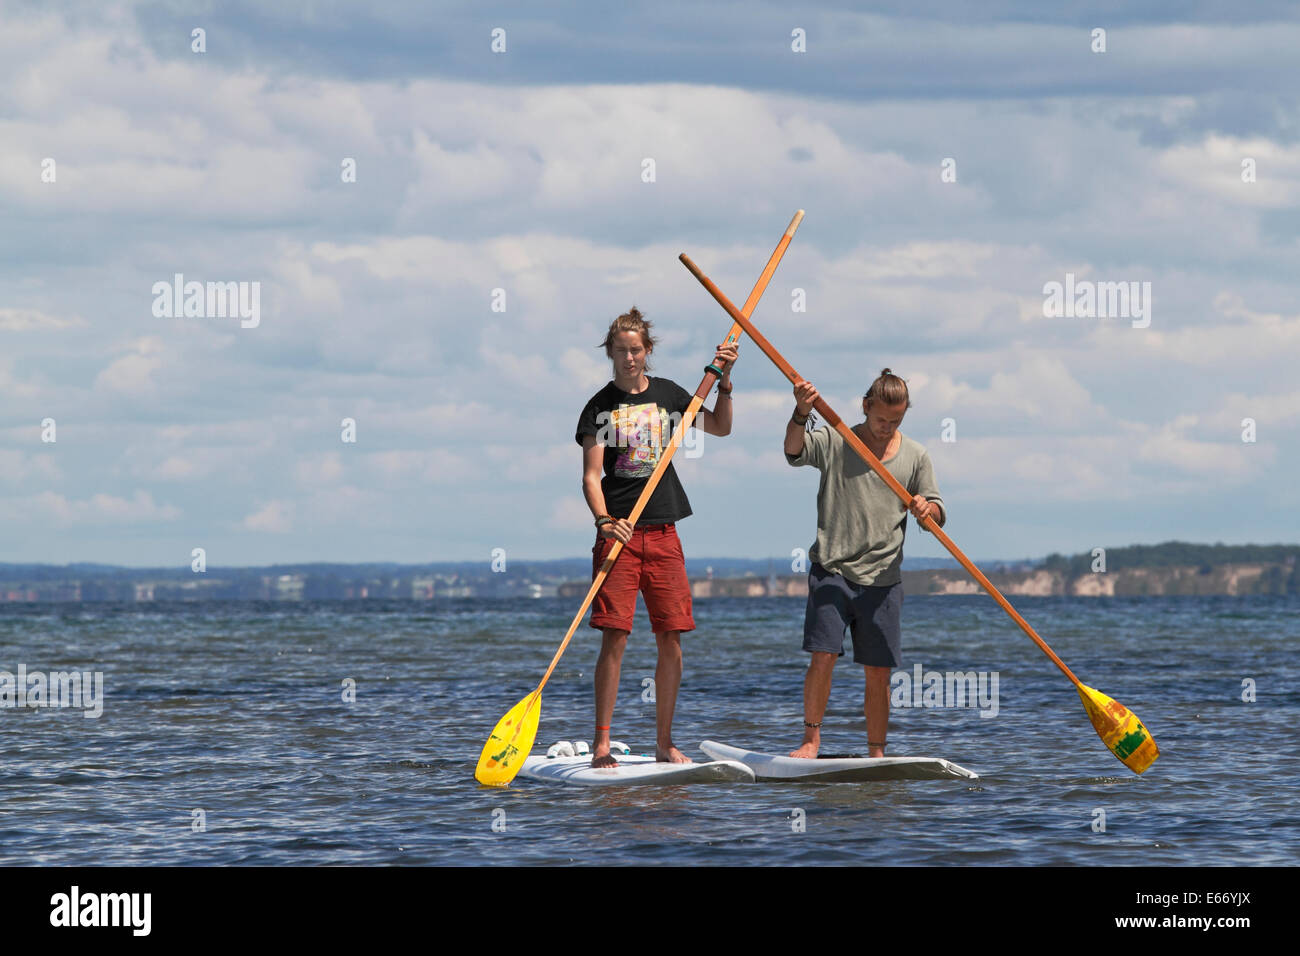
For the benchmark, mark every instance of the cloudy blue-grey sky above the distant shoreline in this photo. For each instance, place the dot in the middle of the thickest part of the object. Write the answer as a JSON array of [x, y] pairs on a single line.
[[951, 166]]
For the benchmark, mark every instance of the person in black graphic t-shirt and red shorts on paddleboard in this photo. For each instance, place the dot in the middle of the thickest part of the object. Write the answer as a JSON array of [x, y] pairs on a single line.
[[623, 431]]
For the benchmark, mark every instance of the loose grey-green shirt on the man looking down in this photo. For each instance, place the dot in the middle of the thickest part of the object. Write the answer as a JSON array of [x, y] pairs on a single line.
[[860, 522]]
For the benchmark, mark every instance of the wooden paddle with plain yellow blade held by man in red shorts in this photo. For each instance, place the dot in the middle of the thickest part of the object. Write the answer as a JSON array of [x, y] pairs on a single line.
[[513, 738]]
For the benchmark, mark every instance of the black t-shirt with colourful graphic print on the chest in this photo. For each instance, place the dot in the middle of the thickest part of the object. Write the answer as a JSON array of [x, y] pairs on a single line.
[[636, 430]]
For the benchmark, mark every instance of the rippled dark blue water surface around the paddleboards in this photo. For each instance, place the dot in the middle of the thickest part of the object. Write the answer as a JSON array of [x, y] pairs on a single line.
[[237, 711]]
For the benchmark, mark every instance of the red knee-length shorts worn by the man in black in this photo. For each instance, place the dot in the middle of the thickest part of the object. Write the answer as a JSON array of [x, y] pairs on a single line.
[[651, 563]]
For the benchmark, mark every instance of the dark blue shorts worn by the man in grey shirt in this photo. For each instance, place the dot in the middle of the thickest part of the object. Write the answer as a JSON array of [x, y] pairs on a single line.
[[874, 617]]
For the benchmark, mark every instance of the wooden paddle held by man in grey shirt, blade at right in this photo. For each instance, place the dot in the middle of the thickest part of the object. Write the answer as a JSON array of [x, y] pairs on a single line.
[[1117, 726]]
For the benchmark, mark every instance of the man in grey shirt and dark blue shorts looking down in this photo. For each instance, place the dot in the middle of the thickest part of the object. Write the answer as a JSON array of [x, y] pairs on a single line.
[[856, 578]]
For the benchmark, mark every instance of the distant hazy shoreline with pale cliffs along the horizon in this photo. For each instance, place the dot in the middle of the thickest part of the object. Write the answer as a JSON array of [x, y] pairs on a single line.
[[1175, 569]]
